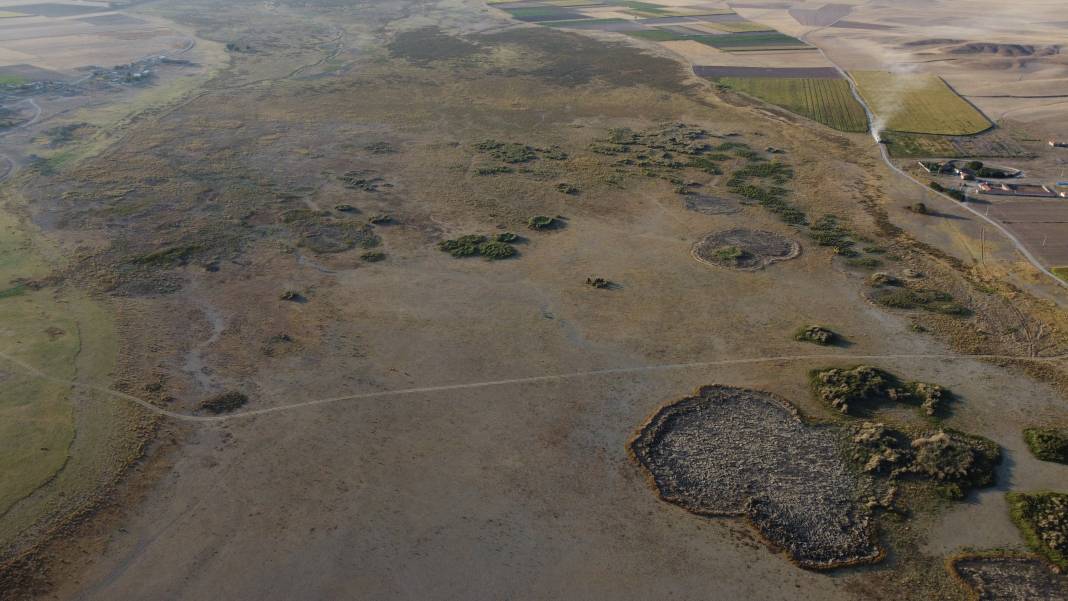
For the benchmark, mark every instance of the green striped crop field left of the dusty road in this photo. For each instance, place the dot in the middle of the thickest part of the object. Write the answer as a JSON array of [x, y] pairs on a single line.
[[824, 101]]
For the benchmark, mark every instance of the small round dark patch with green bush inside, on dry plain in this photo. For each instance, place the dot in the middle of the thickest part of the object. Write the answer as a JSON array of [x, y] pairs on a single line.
[[747, 250]]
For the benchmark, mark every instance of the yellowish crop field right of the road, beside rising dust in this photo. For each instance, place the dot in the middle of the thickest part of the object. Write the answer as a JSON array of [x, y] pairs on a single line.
[[919, 104]]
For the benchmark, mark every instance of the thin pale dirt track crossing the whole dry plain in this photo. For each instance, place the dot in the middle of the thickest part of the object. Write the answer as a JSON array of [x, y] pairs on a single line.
[[30, 370]]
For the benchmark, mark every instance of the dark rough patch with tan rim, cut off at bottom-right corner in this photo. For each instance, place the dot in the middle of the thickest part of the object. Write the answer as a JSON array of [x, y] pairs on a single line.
[[1010, 578]]
